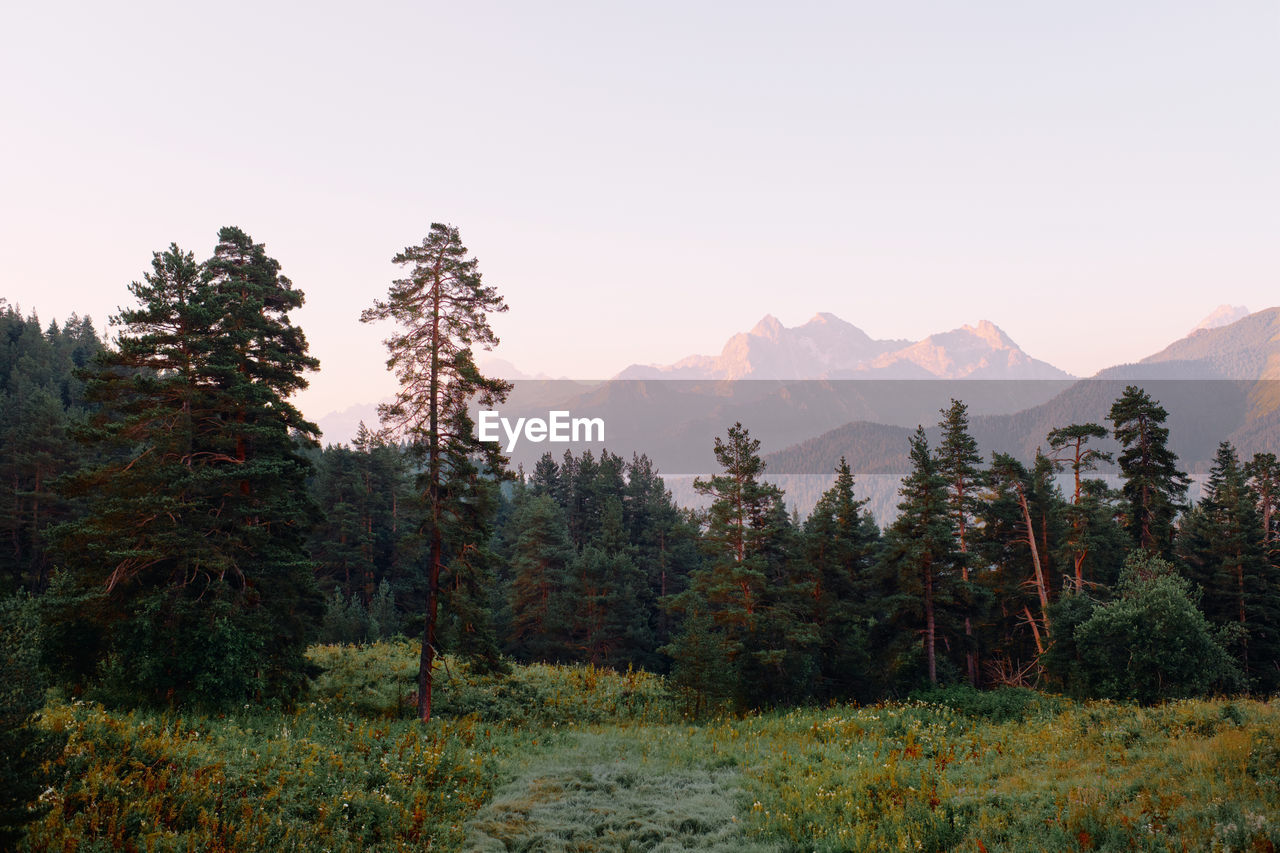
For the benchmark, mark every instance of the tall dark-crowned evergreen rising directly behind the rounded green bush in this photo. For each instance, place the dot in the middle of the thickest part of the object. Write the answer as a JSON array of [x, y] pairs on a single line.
[[1154, 487]]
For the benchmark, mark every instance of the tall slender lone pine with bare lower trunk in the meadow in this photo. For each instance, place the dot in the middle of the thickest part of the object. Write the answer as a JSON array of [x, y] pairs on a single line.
[[442, 311]]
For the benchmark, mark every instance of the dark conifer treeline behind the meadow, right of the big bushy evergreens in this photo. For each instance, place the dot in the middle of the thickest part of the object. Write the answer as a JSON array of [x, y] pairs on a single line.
[[993, 573]]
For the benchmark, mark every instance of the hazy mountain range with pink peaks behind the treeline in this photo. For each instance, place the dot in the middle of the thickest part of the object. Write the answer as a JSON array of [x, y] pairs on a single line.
[[797, 390]]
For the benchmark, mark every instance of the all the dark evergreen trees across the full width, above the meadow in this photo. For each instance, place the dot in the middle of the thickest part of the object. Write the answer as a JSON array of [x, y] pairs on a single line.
[[177, 536]]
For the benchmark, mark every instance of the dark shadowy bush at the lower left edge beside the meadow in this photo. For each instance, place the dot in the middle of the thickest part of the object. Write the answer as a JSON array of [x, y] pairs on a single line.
[[24, 746]]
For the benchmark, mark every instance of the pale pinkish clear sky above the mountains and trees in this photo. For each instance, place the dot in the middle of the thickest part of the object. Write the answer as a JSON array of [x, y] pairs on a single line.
[[642, 181]]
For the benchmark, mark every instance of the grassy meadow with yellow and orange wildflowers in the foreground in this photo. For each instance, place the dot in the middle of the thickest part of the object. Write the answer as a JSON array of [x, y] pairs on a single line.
[[573, 759]]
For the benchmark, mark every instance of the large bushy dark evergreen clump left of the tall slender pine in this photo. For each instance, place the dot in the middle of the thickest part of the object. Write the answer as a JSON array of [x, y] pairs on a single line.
[[190, 562]]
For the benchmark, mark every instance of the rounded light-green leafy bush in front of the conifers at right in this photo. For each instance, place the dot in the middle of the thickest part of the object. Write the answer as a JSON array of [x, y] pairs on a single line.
[[1153, 644]]
